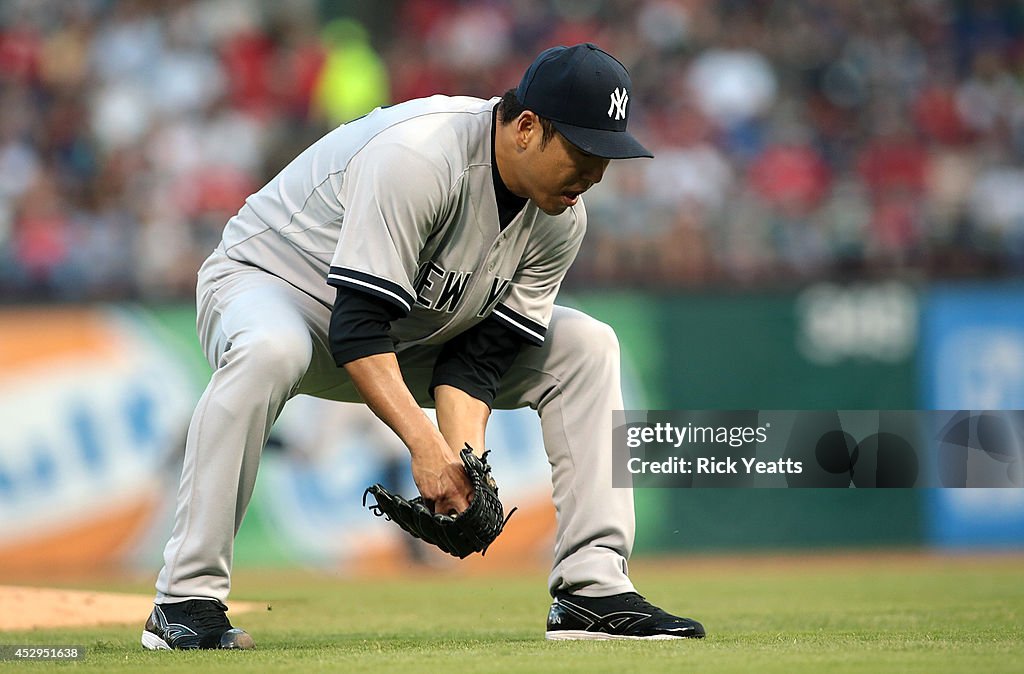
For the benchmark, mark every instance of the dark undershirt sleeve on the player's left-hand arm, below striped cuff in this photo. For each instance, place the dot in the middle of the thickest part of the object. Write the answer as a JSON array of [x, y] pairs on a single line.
[[361, 326]]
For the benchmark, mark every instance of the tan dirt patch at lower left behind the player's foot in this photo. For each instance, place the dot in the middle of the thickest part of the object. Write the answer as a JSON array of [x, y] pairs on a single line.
[[31, 608]]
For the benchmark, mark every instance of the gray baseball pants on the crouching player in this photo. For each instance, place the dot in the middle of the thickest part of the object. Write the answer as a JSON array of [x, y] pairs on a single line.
[[268, 343]]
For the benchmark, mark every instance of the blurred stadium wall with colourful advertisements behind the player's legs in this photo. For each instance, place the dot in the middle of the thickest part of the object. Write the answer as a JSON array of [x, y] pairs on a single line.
[[95, 403]]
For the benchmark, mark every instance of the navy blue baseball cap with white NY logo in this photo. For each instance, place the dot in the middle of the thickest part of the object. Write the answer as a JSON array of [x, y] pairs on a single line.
[[585, 93]]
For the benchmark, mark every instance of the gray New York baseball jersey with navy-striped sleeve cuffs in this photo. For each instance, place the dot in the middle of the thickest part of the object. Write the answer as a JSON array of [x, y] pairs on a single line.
[[424, 237]]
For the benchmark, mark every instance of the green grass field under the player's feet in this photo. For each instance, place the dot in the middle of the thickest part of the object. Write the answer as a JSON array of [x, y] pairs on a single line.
[[794, 615]]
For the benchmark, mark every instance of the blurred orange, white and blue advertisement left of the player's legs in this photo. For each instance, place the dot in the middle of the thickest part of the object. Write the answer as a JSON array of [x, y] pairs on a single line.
[[93, 404]]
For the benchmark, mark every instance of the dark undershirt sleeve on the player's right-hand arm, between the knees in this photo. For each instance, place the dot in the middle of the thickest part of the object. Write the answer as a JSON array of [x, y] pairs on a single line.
[[476, 361]]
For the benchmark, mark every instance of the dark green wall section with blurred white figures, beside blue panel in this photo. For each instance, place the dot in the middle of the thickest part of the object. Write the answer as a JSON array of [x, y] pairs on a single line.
[[827, 347]]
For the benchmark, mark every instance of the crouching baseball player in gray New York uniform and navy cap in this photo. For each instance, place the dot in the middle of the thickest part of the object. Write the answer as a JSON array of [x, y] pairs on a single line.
[[411, 259]]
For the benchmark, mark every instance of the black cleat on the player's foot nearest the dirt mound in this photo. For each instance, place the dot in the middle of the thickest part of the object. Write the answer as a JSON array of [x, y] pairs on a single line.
[[193, 624]]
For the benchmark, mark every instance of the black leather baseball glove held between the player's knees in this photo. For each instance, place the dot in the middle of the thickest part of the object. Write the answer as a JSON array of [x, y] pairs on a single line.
[[462, 535]]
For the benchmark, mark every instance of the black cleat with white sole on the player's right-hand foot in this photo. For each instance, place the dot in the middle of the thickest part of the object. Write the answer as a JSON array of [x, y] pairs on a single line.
[[626, 616]]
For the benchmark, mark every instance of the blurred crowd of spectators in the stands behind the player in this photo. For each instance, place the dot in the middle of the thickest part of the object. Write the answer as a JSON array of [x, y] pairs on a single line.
[[795, 140]]
